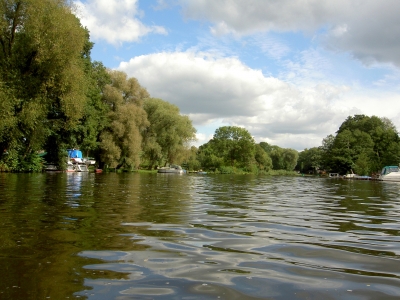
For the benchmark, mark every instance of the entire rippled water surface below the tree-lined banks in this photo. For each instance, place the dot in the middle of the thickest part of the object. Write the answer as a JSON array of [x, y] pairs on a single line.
[[167, 236]]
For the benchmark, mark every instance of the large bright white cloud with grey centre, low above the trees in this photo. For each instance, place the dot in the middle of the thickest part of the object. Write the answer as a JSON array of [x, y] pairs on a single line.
[[210, 89]]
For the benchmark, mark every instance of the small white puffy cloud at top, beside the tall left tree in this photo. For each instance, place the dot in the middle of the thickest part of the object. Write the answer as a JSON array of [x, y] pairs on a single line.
[[114, 21]]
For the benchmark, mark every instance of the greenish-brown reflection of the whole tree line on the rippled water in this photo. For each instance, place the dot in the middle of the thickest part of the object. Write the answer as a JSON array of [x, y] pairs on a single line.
[[42, 233]]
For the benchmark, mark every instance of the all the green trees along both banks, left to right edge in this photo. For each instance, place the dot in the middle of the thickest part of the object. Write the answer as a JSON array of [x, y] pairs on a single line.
[[54, 97]]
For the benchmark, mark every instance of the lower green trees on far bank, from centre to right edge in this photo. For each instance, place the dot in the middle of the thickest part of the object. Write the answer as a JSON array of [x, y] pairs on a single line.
[[362, 145]]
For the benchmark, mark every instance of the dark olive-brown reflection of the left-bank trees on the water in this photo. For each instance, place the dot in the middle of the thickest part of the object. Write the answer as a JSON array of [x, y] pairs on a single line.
[[50, 217]]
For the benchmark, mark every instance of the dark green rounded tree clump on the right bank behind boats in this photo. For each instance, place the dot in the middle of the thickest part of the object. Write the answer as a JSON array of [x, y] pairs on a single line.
[[362, 145]]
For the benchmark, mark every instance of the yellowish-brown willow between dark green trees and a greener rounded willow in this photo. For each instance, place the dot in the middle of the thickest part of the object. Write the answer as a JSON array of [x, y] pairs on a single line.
[[121, 141]]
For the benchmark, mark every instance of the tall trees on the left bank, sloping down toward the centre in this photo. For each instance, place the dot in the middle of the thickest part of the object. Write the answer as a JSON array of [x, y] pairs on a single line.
[[54, 97]]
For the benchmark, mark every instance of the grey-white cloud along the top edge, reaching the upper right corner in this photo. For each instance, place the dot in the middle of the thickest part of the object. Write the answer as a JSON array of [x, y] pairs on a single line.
[[368, 29]]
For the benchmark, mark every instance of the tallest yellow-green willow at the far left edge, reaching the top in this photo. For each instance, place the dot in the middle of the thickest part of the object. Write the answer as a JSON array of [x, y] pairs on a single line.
[[42, 74]]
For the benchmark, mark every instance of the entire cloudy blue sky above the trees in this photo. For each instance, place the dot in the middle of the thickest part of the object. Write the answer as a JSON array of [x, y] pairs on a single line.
[[289, 71]]
